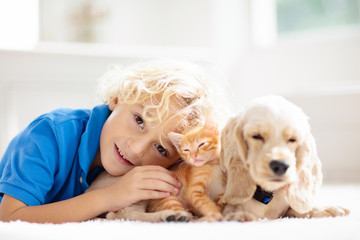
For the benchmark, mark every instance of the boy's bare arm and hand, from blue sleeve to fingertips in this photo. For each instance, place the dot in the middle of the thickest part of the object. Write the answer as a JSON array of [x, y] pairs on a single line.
[[145, 182]]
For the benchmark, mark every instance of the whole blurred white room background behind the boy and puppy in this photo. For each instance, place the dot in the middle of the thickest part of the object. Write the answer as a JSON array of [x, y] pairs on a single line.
[[52, 54]]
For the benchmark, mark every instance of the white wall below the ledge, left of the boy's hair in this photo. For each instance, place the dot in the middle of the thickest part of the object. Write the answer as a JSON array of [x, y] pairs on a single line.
[[33, 83]]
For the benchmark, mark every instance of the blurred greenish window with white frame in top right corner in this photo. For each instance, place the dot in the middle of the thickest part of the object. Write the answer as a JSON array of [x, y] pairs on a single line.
[[271, 19]]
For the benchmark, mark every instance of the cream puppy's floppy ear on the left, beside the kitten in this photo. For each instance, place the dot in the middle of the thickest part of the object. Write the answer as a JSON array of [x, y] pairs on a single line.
[[239, 187]]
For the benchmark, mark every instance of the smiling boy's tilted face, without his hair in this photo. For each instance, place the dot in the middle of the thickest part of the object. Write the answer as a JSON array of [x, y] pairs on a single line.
[[127, 140]]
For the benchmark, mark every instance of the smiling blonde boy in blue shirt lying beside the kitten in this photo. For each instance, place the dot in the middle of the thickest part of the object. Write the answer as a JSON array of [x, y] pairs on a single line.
[[48, 166]]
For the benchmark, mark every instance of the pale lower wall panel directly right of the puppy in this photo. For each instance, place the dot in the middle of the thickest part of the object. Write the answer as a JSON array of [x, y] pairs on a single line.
[[335, 123]]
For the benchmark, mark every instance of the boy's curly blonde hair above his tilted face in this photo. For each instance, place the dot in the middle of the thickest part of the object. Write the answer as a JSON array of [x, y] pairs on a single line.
[[160, 86]]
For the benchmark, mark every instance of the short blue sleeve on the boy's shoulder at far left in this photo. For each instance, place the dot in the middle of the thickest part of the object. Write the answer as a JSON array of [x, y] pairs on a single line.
[[30, 163]]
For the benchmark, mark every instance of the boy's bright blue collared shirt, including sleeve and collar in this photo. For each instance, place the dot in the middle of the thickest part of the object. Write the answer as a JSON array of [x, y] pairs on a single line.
[[49, 160]]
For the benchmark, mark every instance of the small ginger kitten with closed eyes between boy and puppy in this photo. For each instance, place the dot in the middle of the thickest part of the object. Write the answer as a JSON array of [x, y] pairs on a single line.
[[199, 172]]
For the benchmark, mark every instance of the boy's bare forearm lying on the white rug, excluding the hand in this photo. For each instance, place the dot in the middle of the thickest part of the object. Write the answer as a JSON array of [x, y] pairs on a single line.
[[77, 209]]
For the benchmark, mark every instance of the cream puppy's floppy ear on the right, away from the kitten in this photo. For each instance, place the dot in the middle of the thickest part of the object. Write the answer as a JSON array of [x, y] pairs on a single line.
[[301, 194]]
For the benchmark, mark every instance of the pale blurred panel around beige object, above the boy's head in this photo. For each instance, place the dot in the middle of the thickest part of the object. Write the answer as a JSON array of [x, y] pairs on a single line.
[[133, 22]]
